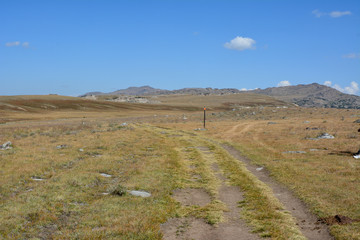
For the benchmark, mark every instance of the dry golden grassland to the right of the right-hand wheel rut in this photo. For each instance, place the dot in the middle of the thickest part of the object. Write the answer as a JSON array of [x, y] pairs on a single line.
[[321, 172]]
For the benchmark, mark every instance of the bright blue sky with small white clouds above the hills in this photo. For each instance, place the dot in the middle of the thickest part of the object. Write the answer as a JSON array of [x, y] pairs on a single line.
[[78, 46]]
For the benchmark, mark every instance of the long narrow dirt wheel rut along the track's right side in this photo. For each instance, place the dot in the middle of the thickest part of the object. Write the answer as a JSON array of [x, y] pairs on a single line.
[[307, 222]]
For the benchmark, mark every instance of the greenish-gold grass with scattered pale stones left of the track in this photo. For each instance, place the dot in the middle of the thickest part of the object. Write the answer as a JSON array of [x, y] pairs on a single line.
[[69, 202]]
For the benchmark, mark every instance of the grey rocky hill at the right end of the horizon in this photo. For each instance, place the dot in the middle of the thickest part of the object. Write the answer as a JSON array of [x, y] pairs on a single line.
[[312, 95]]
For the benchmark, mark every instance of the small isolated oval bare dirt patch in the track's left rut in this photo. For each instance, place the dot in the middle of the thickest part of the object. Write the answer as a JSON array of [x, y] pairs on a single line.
[[192, 196]]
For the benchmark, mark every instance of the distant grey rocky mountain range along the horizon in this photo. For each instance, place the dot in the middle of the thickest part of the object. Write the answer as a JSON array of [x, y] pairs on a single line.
[[307, 95]]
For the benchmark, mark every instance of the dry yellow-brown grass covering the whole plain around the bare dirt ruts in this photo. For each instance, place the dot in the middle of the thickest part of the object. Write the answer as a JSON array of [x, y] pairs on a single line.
[[74, 201]]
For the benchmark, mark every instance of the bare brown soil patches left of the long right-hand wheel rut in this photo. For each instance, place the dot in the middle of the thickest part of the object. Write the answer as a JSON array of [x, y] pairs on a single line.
[[233, 228]]
